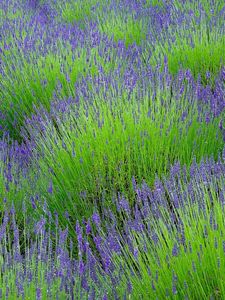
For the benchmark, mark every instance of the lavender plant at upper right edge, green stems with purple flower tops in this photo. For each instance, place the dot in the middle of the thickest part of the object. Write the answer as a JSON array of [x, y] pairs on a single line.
[[196, 44]]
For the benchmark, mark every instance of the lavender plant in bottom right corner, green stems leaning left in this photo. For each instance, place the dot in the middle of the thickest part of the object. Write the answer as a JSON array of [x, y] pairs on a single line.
[[173, 249]]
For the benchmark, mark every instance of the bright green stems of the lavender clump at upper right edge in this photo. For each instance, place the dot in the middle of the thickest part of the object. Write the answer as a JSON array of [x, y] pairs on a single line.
[[200, 50]]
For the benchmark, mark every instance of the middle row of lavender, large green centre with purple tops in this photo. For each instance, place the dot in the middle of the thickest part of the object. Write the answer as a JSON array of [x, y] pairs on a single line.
[[61, 146]]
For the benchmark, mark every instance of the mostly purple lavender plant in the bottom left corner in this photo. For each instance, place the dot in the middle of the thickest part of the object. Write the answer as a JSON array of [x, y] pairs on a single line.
[[47, 270]]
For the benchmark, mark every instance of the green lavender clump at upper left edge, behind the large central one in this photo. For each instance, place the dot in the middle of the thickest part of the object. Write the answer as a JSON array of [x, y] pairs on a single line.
[[43, 77]]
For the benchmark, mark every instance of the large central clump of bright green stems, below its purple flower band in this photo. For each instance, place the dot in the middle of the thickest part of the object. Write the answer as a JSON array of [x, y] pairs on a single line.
[[96, 150]]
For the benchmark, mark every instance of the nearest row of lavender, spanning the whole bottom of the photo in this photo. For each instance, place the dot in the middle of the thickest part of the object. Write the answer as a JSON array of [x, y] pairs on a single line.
[[115, 262]]
